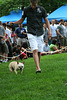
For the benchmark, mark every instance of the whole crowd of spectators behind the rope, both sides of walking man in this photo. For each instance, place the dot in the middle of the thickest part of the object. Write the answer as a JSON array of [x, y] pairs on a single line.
[[14, 43]]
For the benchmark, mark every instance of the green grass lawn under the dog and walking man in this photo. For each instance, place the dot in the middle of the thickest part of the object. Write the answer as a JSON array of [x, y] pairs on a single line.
[[51, 84]]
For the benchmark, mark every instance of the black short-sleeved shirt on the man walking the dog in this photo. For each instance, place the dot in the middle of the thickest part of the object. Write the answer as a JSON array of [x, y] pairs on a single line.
[[34, 19]]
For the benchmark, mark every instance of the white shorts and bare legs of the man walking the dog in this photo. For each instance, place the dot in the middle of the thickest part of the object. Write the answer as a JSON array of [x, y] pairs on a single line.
[[36, 44]]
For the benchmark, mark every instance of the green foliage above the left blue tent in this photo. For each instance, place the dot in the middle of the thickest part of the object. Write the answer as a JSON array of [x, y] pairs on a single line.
[[8, 5]]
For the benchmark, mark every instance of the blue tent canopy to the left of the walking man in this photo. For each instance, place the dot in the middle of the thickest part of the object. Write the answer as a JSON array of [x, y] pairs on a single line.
[[13, 16]]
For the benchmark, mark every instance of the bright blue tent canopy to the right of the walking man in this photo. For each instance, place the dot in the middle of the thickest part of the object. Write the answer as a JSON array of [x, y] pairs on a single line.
[[60, 13]]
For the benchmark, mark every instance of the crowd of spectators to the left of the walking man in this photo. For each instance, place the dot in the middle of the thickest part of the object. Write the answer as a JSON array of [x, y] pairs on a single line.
[[13, 43]]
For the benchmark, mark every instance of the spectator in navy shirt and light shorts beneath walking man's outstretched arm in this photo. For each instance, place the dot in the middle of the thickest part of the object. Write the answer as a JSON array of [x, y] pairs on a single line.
[[21, 35]]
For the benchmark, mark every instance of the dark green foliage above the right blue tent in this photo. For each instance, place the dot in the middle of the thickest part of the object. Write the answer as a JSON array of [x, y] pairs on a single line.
[[52, 5]]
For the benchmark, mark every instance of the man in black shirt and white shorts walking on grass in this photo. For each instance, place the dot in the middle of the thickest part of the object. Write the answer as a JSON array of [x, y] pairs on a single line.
[[34, 14]]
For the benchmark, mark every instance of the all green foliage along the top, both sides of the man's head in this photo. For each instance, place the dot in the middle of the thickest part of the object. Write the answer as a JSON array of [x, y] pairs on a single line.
[[8, 5]]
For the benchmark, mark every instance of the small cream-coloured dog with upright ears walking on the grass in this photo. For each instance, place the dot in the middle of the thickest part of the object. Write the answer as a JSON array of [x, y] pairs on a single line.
[[14, 66]]
